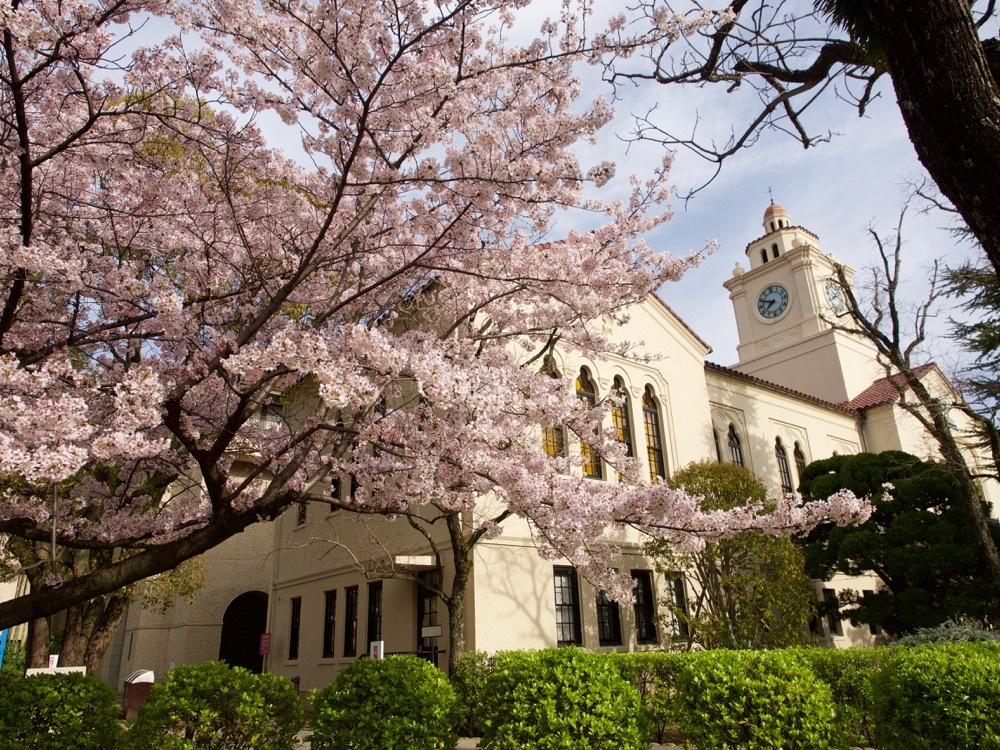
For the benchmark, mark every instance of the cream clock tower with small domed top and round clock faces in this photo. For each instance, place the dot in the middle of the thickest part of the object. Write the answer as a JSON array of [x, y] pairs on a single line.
[[786, 306]]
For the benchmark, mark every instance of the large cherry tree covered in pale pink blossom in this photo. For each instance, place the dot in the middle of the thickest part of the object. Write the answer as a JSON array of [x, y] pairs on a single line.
[[188, 308]]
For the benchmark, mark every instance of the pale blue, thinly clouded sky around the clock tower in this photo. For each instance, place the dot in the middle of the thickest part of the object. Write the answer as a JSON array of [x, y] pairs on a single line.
[[835, 189]]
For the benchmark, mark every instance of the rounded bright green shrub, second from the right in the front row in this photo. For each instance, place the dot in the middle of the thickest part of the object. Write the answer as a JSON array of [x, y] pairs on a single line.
[[755, 700]]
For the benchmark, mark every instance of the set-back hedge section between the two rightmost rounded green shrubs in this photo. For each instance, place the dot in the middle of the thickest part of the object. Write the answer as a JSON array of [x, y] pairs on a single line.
[[849, 673]]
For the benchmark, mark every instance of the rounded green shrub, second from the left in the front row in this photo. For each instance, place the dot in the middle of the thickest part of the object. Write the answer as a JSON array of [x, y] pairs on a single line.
[[212, 706]]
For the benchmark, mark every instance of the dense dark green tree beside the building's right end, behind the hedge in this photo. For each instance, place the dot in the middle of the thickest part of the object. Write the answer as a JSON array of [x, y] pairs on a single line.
[[919, 542]]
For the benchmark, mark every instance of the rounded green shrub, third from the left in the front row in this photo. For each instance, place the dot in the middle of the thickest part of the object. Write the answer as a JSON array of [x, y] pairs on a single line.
[[396, 703]]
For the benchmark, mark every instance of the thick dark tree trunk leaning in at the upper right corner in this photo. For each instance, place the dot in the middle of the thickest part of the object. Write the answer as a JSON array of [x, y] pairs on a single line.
[[950, 103]]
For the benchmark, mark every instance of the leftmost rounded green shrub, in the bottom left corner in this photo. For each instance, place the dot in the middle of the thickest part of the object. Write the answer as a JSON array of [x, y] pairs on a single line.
[[58, 712]]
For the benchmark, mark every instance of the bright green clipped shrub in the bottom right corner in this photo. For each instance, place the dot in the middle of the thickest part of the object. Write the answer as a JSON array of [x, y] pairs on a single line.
[[943, 696]]
